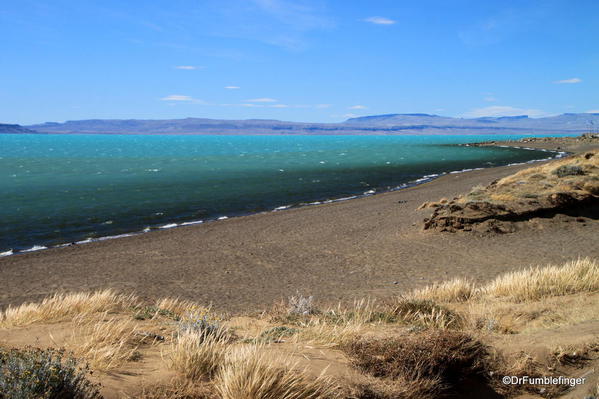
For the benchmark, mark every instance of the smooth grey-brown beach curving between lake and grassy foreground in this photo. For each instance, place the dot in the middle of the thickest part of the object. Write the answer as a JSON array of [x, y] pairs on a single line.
[[367, 247]]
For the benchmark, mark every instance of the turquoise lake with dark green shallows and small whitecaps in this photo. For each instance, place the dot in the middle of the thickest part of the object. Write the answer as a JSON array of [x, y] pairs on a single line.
[[57, 189]]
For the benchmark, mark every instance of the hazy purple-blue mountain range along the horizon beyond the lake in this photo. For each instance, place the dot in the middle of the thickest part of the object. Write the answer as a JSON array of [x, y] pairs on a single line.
[[390, 124]]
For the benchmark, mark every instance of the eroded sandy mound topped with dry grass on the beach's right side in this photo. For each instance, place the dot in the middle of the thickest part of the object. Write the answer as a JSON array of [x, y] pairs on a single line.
[[569, 186]]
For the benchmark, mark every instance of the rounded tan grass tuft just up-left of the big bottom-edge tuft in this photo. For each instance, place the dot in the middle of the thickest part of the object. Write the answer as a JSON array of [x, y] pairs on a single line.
[[197, 355]]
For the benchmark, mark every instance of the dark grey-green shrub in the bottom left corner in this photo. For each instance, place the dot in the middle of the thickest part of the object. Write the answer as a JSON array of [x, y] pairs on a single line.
[[33, 373]]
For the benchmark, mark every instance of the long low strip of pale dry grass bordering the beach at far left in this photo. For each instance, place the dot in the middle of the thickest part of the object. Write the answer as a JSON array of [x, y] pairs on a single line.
[[61, 306]]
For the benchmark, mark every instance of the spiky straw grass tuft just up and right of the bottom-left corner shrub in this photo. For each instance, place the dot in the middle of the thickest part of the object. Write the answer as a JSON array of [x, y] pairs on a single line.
[[106, 344]]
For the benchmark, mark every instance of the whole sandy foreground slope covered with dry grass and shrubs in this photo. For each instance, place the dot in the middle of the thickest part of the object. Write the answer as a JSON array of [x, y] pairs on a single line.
[[447, 339]]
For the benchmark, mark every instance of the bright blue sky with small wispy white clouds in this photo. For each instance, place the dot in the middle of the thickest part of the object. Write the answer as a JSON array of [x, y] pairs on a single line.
[[316, 61]]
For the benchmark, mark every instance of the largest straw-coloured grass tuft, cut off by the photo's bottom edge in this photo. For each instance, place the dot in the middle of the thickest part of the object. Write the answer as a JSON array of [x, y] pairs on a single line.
[[249, 374]]
